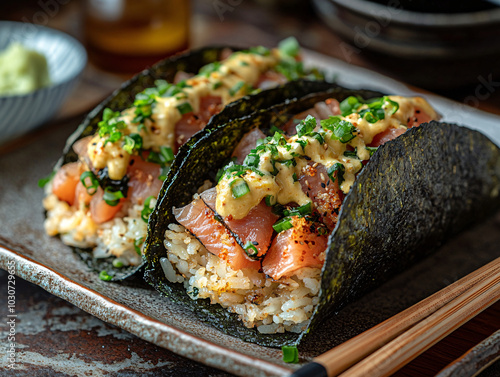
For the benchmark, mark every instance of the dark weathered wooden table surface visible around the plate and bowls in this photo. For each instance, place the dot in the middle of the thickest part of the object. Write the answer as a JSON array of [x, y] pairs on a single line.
[[59, 339]]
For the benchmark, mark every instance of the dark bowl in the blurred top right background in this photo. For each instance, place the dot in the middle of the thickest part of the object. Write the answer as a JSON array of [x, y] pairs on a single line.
[[438, 46]]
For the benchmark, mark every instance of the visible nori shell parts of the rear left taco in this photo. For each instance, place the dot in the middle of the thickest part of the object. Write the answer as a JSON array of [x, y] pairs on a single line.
[[166, 69]]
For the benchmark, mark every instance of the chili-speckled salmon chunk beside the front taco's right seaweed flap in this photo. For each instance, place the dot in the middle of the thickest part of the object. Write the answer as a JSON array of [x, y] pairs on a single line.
[[304, 245]]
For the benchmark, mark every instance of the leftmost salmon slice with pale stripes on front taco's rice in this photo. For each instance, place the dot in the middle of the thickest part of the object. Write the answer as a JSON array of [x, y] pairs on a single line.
[[217, 239]]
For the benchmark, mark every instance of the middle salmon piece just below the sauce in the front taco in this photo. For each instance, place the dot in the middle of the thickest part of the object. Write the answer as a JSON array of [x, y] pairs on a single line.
[[255, 229]]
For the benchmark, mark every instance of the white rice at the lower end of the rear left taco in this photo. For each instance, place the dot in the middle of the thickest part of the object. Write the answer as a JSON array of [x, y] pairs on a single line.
[[116, 237]]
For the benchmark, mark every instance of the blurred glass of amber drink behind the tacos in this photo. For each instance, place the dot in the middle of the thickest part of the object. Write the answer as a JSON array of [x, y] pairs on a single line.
[[129, 35]]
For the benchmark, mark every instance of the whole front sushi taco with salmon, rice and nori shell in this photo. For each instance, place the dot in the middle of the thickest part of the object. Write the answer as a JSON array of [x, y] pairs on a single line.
[[268, 223]]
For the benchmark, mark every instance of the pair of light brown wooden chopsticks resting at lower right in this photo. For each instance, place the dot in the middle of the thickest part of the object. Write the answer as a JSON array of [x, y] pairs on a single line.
[[385, 348]]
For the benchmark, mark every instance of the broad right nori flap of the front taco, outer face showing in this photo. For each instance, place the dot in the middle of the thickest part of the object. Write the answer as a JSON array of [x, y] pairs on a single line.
[[437, 179]]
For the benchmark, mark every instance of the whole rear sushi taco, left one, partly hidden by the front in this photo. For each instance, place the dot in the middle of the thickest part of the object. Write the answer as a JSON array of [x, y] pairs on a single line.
[[106, 184]]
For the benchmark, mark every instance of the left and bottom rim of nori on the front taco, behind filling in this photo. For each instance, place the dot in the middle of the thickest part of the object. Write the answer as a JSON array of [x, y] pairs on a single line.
[[189, 170]]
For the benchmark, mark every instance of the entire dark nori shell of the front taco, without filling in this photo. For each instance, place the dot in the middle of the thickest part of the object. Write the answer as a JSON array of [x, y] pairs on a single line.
[[415, 192]]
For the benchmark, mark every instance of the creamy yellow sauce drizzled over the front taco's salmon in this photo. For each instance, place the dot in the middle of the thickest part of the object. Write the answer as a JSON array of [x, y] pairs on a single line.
[[285, 188]]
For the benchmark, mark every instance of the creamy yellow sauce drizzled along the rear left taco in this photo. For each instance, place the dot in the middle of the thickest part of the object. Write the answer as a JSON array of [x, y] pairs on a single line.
[[160, 129]]
